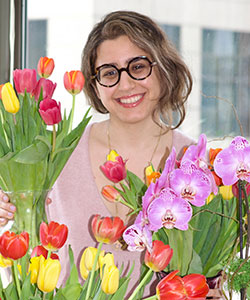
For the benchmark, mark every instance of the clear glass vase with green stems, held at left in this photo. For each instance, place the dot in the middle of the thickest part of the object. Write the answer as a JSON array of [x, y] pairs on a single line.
[[30, 212]]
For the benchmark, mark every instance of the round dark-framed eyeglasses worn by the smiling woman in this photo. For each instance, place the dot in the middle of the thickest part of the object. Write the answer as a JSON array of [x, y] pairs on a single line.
[[138, 68]]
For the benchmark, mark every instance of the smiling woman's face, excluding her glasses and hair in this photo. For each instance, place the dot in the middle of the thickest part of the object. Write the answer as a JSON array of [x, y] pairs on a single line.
[[130, 100]]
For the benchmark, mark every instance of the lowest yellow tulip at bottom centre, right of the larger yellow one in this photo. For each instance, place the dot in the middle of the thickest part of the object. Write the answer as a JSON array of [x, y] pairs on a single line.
[[110, 281]]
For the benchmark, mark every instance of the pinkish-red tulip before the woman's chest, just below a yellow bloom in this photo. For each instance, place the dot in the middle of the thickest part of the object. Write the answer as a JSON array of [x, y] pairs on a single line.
[[115, 170]]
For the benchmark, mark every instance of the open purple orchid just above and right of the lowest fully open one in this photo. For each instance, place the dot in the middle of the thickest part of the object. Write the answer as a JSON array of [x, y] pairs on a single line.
[[190, 183]]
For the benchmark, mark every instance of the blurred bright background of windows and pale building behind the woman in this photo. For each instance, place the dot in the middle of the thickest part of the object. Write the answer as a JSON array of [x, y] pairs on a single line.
[[213, 37]]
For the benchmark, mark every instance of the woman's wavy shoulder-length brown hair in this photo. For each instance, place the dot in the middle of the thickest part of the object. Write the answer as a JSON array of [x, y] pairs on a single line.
[[175, 77]]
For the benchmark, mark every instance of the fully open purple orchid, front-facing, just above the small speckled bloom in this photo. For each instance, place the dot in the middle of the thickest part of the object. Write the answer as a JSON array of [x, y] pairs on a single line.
[[169, 211]]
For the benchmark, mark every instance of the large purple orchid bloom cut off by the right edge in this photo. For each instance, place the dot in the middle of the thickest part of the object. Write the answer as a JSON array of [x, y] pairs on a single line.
[[233, 162]]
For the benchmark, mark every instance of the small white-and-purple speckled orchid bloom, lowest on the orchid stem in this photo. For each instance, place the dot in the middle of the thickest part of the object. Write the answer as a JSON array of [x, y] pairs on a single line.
[[138, 238]]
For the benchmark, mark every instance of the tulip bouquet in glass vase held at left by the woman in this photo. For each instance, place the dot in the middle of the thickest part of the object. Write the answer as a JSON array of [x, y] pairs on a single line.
[[31, 155]]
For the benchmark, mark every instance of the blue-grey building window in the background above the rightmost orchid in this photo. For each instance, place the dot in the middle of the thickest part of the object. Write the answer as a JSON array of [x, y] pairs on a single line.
[[225, 74]]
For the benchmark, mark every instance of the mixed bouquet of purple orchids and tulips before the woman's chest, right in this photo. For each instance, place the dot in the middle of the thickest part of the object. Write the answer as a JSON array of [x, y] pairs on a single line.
[[189, 206]]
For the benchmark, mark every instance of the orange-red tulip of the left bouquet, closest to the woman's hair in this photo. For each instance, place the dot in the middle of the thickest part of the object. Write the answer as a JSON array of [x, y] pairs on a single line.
[[73, 82]]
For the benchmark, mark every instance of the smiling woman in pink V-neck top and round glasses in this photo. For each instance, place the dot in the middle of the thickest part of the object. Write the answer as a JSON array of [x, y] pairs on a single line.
[[133, 73]]
